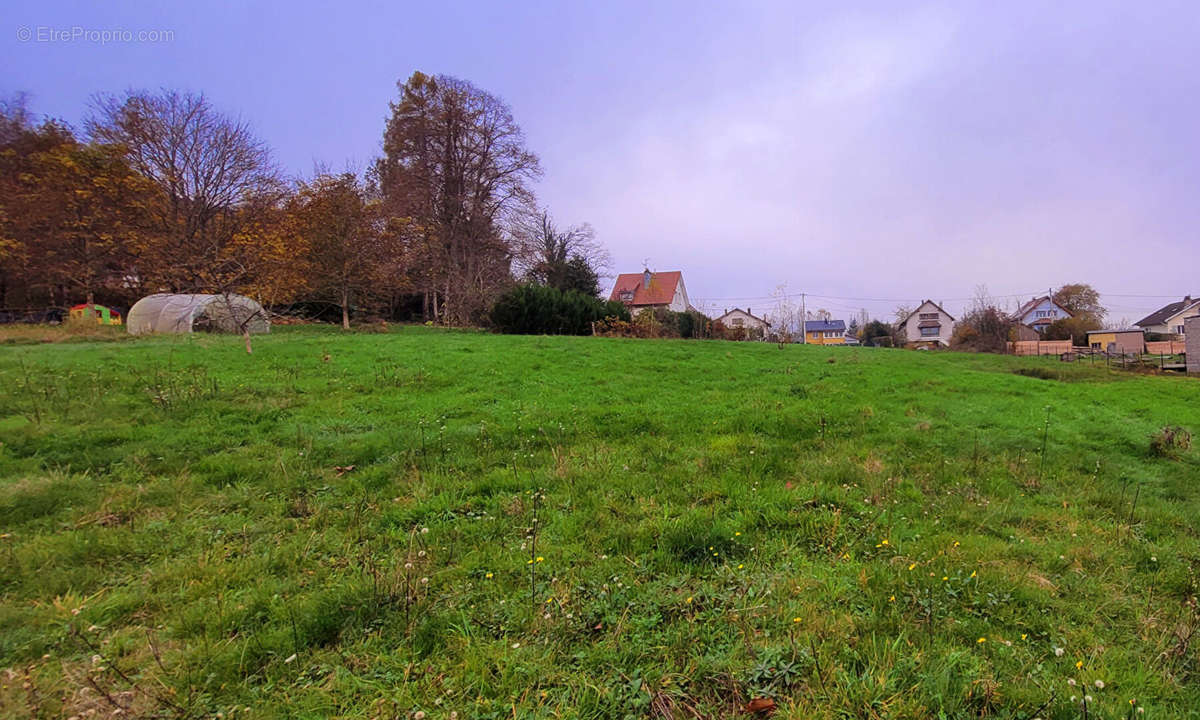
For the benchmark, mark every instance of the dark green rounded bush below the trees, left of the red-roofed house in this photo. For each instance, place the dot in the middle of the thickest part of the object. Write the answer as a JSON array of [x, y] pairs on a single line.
[[539, 310]]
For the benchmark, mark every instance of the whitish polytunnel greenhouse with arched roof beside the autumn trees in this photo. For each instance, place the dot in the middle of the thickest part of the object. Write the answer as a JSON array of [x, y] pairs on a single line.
[[166, 313]]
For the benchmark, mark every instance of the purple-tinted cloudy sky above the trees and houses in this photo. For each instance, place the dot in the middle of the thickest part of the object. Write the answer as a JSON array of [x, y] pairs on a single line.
[[863, 153]]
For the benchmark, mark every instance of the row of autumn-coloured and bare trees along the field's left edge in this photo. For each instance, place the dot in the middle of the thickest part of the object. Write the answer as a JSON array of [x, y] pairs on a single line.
[[160, 191]]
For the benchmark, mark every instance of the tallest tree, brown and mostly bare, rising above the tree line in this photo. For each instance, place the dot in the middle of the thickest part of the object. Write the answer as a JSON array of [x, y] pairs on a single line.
[[457, 166]]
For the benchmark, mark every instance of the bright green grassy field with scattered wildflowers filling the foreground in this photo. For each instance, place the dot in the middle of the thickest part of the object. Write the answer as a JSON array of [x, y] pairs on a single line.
[[437, 525]]
